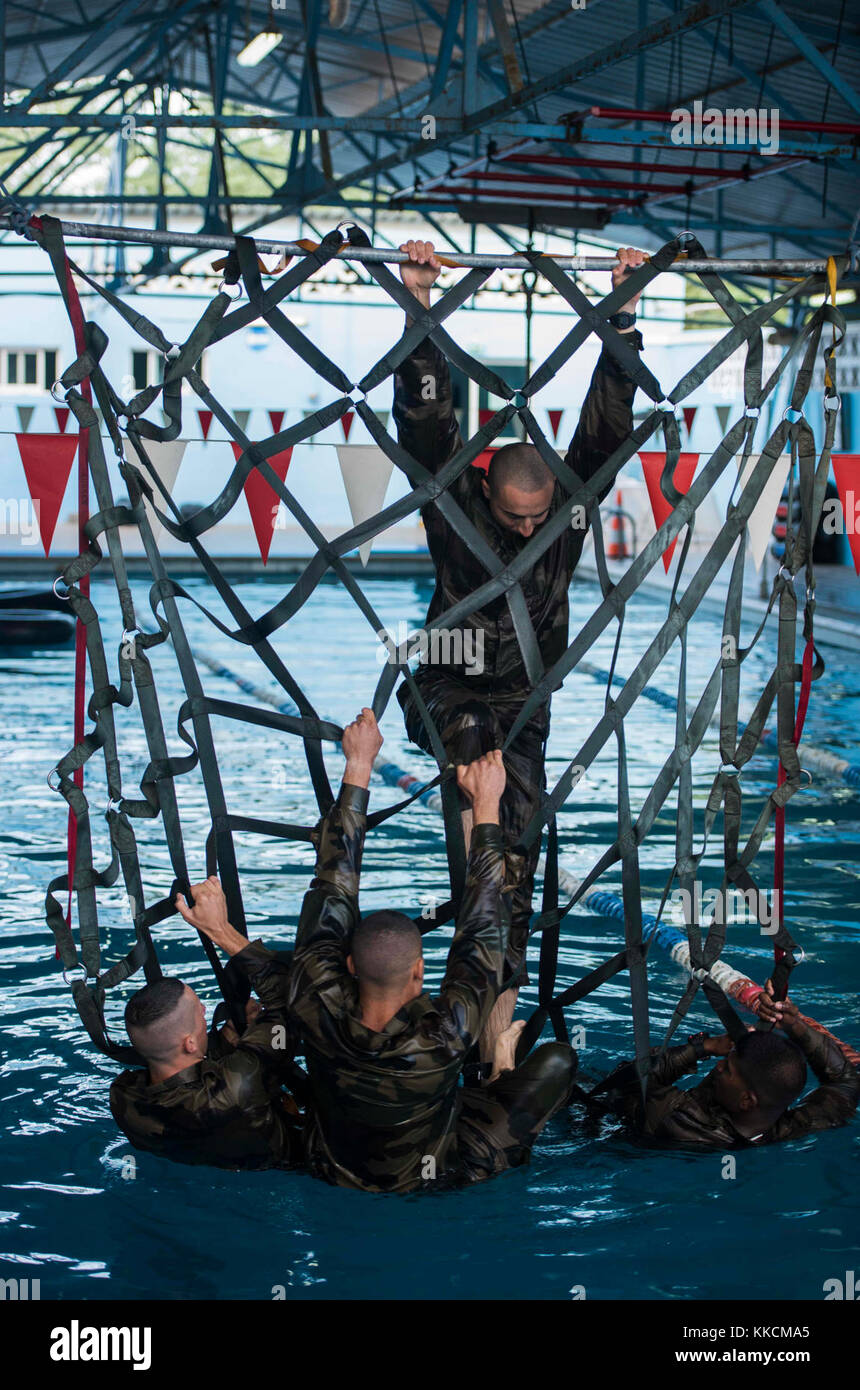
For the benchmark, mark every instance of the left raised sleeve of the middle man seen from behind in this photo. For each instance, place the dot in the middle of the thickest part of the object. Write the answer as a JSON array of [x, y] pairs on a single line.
[[331, 906]]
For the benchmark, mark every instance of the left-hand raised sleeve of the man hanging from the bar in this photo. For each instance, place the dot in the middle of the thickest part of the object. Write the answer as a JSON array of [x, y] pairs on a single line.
[[424, 408]]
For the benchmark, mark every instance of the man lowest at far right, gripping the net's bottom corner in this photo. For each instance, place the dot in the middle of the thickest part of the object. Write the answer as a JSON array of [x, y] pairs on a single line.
[[747, 1099]]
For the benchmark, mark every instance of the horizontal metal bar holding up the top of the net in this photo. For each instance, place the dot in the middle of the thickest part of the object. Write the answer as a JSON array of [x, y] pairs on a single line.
[[373, 255]]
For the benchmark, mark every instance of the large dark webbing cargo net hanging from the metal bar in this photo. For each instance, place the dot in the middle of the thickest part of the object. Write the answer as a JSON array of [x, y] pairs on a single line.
[[787, 686]]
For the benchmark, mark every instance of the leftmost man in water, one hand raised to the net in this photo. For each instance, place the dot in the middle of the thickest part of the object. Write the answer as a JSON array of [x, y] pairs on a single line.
[[212, 1099]]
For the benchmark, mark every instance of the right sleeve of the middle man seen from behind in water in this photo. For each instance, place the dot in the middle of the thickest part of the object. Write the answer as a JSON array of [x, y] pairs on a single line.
[[476, 960]]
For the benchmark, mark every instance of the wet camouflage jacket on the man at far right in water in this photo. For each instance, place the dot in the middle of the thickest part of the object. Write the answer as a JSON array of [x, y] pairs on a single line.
[[695, 1120]]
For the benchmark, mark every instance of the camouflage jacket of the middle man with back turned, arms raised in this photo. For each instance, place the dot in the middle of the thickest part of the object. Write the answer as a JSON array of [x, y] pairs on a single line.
[[384, 1104]]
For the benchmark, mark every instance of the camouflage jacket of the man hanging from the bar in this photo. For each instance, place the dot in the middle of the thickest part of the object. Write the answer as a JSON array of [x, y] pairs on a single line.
[[430, 433]]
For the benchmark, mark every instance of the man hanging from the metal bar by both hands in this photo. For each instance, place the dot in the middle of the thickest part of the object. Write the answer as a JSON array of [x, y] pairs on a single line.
[[474, 704]]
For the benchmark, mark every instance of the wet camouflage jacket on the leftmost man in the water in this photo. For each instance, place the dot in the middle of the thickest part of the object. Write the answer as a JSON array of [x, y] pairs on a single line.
[[229, 1110]]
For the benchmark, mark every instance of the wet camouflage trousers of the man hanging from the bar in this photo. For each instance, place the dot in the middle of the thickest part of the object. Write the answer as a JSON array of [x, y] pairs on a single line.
[[473, 723]]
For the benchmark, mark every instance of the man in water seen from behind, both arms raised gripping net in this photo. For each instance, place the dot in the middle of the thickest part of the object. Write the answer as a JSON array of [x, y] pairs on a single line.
[[384, 1057]]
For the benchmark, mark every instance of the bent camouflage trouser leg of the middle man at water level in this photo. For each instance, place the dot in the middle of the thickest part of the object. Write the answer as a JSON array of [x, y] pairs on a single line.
[[499, 1124]]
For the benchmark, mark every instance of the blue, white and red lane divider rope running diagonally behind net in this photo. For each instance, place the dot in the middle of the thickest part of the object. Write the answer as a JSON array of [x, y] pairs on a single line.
[[601, 901]]
